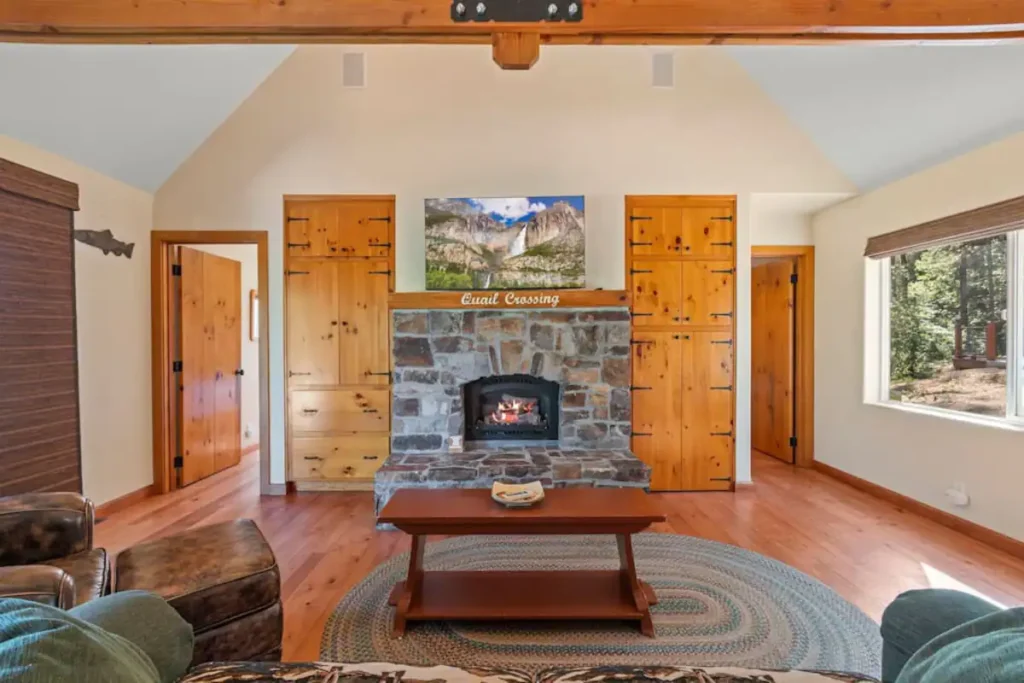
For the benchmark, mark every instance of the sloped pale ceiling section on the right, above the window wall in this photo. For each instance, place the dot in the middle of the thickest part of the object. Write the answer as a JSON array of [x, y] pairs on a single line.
[[882, 113]]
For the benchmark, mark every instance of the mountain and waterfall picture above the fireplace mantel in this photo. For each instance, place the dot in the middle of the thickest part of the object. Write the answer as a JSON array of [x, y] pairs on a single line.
[[505, 243]]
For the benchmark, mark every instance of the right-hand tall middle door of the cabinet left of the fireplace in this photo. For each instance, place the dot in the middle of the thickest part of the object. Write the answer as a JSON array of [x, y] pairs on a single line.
[[365, 344]]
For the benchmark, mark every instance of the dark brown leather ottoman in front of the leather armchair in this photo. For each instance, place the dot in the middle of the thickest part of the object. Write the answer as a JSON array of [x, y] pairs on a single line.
[[223, 579]]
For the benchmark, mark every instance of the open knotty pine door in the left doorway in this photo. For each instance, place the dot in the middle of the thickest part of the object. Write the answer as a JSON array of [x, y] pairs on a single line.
[[210, 343]]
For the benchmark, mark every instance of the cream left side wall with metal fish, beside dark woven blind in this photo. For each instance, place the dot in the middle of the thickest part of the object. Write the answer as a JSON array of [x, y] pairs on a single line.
[[113, 300]]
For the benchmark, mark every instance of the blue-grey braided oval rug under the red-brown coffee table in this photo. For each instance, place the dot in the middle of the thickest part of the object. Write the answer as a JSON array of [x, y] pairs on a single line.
[[718, 606]]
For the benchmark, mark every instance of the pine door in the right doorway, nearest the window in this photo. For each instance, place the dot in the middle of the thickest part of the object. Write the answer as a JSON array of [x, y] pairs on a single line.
[[773, 347]]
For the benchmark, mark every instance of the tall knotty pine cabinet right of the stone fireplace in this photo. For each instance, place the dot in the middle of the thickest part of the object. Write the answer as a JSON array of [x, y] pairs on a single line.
[[681, 265]]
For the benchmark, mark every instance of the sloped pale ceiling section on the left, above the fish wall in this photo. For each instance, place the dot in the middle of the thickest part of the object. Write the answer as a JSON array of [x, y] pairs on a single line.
[[133, 113]]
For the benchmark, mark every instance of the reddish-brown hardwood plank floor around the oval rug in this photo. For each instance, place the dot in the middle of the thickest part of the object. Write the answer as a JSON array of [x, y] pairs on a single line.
[[866, 549]]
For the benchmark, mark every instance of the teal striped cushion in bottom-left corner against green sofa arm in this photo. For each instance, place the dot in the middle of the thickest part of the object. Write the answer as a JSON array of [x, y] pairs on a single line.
[[41, 645]]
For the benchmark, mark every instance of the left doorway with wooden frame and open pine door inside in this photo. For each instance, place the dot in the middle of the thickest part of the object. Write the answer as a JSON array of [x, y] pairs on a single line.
[[210, 355]]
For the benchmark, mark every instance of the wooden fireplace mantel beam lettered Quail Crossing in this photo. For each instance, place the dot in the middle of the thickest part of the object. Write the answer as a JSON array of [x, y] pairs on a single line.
[[510, 300]]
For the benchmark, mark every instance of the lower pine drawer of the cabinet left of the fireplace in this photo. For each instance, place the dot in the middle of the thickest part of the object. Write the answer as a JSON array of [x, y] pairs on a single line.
[[332, 458]]
